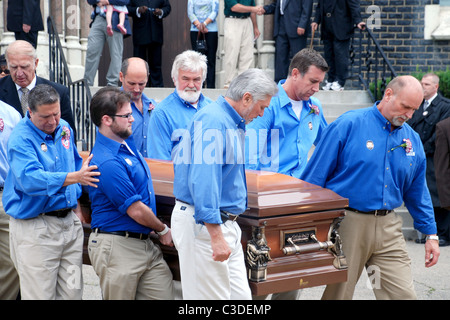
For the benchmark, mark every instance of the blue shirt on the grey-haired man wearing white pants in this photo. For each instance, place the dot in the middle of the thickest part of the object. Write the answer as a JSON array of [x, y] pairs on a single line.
[[209, 163]]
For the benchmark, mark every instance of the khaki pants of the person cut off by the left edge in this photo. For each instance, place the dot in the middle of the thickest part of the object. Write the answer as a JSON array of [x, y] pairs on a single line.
[[9, 280]]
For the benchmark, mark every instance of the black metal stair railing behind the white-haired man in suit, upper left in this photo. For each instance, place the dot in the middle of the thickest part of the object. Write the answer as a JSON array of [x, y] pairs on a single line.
[[80, 94]]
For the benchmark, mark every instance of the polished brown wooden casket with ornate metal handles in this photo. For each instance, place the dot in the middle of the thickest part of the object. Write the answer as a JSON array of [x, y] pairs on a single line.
[[289, 232]]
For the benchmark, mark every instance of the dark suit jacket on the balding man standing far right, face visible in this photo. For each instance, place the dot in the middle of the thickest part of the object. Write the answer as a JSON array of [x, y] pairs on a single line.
[[425, 126]]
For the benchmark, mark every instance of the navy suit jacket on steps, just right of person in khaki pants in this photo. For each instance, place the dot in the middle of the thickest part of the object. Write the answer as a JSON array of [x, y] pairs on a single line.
[[297, 14]]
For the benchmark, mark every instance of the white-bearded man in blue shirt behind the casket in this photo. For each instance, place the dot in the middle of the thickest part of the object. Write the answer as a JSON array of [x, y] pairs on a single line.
[[175, 111]]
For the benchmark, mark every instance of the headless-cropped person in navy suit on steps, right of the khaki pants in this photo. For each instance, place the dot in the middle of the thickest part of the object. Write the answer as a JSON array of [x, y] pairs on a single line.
[[291, 21]]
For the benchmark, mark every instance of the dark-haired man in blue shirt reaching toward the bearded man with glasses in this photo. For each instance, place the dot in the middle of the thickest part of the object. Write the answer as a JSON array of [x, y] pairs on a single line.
[[41, 194]]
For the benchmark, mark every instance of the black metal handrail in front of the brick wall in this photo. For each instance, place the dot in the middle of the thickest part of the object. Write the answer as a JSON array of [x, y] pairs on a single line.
[[370, 65]]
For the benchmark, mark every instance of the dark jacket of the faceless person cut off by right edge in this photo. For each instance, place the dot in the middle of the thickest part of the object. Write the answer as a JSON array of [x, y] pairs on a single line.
[[442, 162]]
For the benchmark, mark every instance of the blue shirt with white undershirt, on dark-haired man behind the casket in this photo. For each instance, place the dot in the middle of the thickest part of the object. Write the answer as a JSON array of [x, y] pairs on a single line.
[[279, 141]]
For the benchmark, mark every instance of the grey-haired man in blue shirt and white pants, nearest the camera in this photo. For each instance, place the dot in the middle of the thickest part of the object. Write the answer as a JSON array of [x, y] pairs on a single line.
[[211, 191]]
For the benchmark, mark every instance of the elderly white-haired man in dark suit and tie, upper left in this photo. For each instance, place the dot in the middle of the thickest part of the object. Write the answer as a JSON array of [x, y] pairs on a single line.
[[22, 63]]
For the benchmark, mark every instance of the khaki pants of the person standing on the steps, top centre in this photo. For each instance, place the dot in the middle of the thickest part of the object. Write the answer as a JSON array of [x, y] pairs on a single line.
[[237, 46]]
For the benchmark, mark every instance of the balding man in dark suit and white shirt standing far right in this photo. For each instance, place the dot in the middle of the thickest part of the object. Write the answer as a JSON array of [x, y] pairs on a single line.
[[433, 109]]
